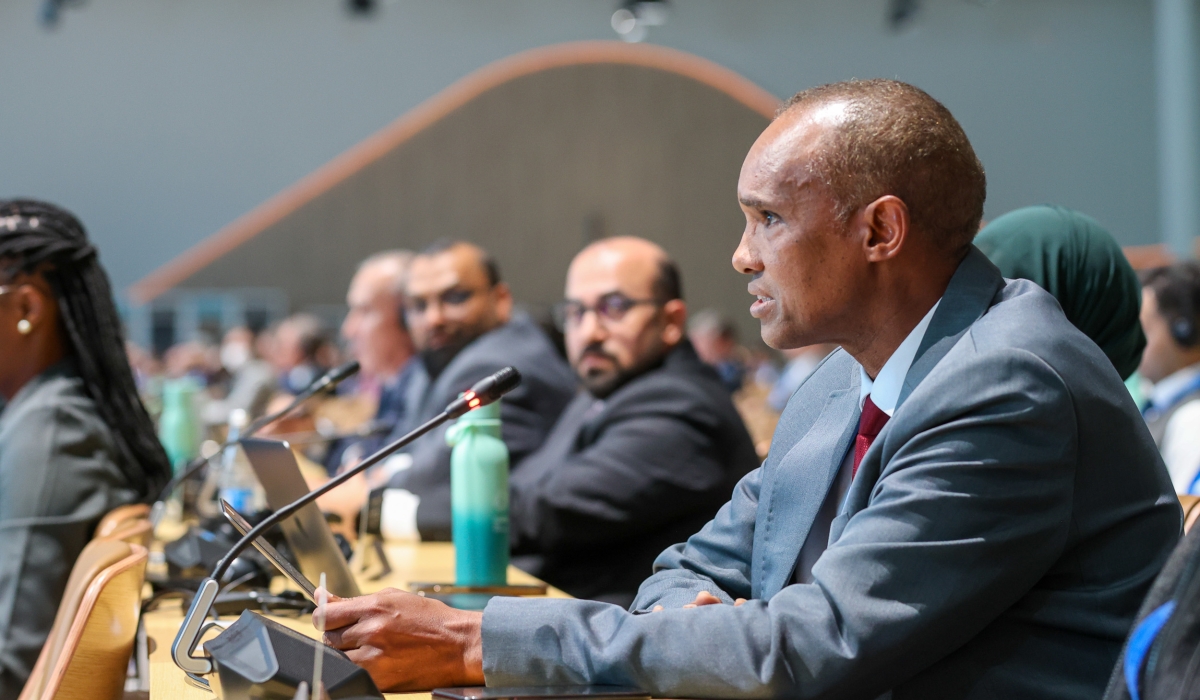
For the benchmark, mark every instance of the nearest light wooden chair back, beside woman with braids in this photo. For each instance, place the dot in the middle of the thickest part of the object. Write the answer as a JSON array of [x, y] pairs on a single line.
[[87, 654]]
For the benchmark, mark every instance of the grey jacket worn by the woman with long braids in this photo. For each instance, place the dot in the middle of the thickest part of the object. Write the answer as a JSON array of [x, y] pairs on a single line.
[[58, 478]]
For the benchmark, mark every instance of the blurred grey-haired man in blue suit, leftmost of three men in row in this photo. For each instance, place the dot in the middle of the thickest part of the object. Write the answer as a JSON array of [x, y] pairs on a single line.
[[377, 338]]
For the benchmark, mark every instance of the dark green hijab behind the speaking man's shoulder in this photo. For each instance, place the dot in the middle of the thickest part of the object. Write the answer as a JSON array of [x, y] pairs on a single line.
[[1075, 259]]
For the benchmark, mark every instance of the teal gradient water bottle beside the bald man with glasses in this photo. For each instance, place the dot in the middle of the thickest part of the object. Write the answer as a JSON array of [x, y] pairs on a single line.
[[479, 498]]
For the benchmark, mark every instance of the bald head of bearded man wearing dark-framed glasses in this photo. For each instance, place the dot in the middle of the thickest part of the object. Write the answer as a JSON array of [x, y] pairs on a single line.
[[623, 313]]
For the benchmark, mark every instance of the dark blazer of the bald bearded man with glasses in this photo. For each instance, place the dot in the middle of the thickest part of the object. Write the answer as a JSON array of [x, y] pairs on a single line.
[[620, 481]]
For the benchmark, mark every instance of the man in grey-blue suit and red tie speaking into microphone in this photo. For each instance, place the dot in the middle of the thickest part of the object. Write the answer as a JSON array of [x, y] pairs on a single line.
[[1005, 508]]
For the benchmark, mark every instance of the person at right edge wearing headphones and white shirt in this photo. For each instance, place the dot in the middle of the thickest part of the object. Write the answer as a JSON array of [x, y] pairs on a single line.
[[1171, 314]]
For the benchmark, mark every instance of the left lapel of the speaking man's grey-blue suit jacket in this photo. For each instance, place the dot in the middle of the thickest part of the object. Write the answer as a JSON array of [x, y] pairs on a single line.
[[799, 486]]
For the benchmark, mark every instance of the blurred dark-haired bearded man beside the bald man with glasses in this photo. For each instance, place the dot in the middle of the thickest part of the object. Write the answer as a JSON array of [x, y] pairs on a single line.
[[461, 319]]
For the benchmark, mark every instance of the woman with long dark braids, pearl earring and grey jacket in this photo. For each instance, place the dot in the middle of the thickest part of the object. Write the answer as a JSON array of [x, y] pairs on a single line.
[[75, 439]]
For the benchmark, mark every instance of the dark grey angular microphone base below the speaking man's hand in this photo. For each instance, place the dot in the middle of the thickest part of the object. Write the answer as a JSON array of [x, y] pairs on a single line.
[[259, 659]]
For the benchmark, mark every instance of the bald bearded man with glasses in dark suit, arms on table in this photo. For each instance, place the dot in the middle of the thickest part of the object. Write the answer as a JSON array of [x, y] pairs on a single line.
[[647, 454]]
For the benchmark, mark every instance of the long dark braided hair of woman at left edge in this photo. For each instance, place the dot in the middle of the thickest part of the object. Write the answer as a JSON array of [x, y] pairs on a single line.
[[40, 238]]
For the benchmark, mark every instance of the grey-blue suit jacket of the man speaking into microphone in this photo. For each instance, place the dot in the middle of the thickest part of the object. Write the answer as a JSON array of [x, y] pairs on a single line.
[[997, 542]]
